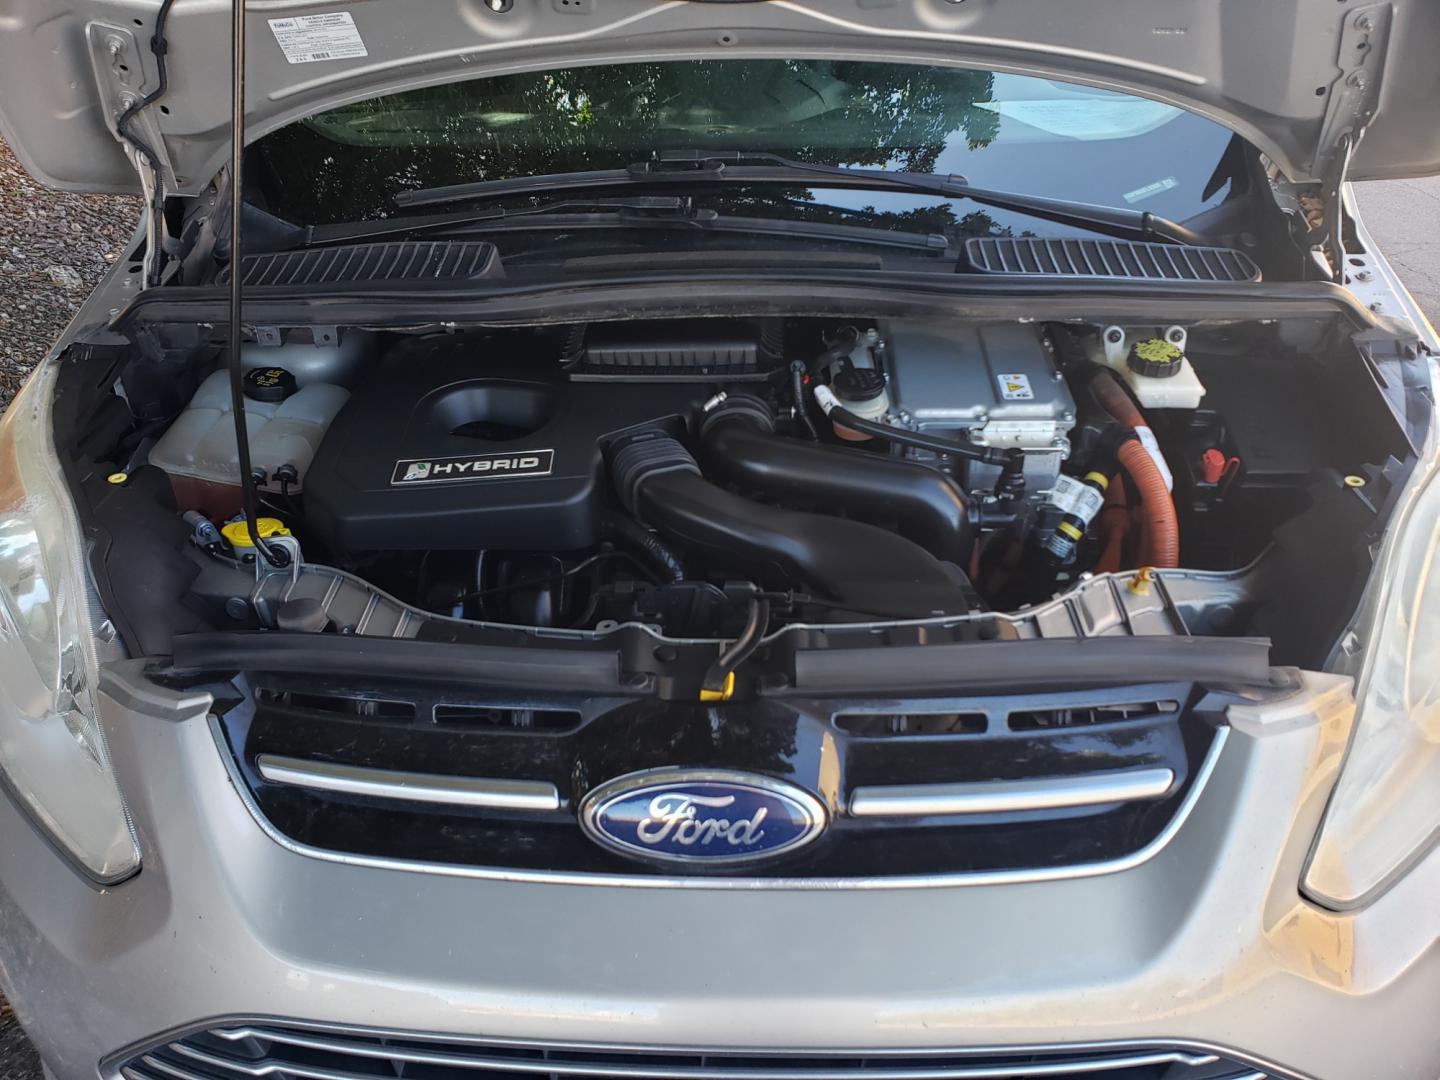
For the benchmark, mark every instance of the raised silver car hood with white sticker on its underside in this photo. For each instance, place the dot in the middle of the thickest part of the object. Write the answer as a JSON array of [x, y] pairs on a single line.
[[1292, 77]]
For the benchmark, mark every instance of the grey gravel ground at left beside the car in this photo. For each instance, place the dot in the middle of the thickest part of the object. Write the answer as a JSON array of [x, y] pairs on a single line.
[[54, 248]]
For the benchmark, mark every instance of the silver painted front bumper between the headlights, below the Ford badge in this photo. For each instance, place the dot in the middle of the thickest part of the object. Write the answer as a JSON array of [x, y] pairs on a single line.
[[1207, 944]]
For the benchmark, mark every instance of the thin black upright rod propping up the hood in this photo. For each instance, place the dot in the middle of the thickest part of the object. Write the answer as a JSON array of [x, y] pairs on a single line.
[[274, 555]]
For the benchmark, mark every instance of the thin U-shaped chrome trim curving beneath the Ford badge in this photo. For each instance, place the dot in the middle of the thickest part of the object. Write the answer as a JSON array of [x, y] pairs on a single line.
[[221, 747]]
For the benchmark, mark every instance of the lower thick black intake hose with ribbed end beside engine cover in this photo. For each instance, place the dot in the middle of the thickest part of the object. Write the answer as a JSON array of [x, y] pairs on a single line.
[[850, 565]]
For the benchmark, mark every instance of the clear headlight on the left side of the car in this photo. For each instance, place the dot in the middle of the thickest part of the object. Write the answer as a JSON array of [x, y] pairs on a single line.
[[53, 754]]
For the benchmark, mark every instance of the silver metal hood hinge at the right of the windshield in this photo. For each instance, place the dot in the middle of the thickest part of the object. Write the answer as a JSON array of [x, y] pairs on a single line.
[[1354, 96]]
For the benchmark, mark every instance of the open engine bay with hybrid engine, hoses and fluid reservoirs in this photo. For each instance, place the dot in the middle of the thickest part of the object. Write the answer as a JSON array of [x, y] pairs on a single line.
[[721, 480]]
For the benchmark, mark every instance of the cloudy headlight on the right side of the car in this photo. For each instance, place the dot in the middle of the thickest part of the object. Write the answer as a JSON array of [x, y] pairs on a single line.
[[1386, 810]]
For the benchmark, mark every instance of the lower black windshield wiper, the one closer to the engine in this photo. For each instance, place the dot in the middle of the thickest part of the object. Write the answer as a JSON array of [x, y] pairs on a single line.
[[653, 212]]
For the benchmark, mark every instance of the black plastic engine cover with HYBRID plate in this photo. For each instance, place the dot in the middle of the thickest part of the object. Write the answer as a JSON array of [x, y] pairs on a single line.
[[447, 447]]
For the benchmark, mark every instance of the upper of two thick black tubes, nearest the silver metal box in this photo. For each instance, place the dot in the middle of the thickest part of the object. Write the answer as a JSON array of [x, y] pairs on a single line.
[[927, 505]]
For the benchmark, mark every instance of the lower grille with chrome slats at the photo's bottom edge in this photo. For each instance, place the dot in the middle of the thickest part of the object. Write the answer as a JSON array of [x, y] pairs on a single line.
[[319, 1055]]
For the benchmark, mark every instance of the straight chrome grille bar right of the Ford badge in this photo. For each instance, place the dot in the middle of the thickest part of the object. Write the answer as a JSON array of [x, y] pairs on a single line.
[[1010, 797]]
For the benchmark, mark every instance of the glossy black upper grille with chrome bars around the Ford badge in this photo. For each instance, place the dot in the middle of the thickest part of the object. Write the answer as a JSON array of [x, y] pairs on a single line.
[[927, 788]]
